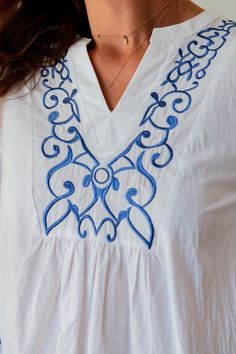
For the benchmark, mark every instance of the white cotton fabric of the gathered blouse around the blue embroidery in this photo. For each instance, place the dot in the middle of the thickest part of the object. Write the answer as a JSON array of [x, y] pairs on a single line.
[[61, 293]]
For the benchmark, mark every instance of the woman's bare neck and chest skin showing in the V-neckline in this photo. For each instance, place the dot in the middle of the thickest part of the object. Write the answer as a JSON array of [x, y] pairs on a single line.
[[107, 55]]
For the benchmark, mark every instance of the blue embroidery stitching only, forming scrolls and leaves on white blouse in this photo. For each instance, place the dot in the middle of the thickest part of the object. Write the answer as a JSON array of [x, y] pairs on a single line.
[[188, 66]]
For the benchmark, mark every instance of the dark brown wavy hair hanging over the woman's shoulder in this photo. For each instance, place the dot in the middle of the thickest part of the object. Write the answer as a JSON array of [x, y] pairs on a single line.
[[34, 33]]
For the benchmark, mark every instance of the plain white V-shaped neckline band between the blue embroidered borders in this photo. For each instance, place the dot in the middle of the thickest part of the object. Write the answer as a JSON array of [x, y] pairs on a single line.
[[125, 120]]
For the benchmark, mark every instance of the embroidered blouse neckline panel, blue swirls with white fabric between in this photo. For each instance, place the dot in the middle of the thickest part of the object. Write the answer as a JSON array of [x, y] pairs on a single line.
[[99, 181]]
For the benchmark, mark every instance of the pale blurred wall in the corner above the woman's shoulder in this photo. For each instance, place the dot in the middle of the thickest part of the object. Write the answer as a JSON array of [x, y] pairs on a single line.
[[224, 7]]
